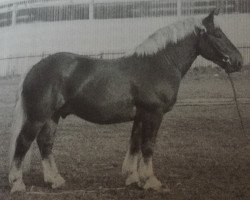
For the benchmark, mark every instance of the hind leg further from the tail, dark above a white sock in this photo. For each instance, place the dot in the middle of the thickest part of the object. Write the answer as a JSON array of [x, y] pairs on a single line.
[[45, 141]]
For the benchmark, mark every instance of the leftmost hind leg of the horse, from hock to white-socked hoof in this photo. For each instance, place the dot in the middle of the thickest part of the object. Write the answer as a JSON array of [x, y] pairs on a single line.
[[27, 133]]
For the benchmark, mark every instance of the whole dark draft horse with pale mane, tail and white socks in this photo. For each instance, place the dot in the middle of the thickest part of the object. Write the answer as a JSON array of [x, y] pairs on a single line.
[[140, 87]]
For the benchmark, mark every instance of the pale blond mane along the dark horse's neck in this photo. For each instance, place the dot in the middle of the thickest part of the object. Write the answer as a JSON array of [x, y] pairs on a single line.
[[172, 33]]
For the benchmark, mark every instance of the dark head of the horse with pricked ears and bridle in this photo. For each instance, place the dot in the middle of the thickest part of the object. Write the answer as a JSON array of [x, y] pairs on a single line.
[[215, 46]]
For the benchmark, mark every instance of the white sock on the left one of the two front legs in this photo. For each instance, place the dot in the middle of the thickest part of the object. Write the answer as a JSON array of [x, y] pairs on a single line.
[[129, 168]]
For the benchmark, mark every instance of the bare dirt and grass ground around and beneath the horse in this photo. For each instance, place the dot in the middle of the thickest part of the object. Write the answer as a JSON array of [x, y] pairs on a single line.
[[201, 152]]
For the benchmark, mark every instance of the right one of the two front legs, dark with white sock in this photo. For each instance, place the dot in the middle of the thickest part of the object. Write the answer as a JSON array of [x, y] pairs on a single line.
[[151, 121]]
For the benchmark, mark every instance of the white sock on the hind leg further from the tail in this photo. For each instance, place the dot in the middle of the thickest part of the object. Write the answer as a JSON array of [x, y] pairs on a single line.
[[51, 174]]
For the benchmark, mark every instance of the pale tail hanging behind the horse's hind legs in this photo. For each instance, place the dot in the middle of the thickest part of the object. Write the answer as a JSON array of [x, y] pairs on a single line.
[[19, 118]]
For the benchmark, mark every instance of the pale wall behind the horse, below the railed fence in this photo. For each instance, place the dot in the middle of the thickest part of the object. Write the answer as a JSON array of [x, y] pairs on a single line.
[[95, 36]]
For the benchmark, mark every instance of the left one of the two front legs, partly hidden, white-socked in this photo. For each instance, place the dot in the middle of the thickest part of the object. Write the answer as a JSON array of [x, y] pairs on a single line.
[[129, 167]]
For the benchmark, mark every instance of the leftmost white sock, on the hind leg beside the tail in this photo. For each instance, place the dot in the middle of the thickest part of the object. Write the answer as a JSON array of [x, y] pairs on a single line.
[[16, 179]]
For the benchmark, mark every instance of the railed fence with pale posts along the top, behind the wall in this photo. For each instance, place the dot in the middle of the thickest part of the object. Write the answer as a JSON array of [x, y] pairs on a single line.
[[30, 11]]
